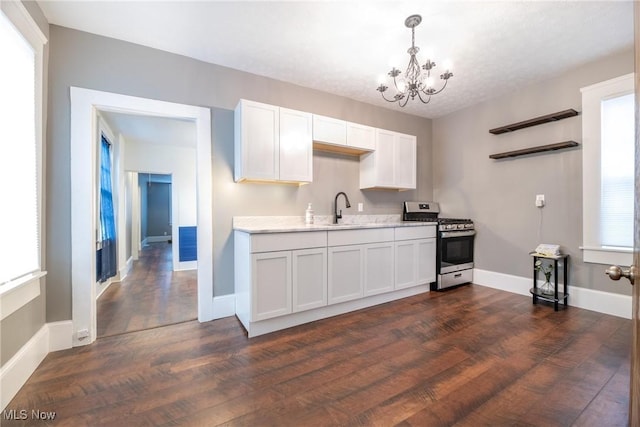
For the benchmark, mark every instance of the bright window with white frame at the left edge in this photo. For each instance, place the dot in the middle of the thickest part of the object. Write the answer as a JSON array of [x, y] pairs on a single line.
[[21, 47]]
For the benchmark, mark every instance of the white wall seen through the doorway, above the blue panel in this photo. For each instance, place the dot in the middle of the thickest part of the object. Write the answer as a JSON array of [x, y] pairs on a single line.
[[180, 163]]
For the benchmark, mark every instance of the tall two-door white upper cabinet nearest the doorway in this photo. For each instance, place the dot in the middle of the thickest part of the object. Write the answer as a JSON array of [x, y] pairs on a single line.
[[272, 143]]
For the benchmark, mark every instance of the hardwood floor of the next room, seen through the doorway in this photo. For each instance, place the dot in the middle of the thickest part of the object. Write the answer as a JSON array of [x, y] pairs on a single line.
[[152, 295]]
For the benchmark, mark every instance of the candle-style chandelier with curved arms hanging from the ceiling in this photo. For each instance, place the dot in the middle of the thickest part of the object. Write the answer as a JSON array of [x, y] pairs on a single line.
[[414, 82]]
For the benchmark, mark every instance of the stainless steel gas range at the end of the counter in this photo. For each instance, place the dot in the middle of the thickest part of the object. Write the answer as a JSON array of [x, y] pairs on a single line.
[[454, 244]]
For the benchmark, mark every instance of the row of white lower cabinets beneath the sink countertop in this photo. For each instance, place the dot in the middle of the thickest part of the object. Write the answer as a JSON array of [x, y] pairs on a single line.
[[289, 278]]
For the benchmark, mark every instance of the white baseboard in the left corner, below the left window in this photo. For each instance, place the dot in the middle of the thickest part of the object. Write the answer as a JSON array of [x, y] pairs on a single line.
[[15, 373]]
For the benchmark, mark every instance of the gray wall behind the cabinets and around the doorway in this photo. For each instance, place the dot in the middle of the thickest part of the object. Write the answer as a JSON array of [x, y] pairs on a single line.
[[95, 62]]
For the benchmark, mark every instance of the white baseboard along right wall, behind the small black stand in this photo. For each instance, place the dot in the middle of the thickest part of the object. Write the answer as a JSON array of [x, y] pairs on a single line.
[[589, 299]]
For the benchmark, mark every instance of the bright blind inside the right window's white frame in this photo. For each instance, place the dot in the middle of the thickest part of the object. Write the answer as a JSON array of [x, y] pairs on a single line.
[[617, 171]]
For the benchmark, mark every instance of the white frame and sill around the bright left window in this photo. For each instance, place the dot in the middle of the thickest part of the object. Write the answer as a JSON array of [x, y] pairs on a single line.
[[16, 294]]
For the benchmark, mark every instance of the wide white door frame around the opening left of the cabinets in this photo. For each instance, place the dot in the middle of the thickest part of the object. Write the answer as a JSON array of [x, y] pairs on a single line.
[[84, 106]]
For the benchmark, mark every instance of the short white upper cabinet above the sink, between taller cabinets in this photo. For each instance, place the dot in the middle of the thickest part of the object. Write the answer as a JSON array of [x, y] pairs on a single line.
[[336, 135]]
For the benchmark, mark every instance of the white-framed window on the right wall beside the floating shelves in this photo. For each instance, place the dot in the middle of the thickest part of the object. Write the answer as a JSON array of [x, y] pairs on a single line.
[[608, 132]]
